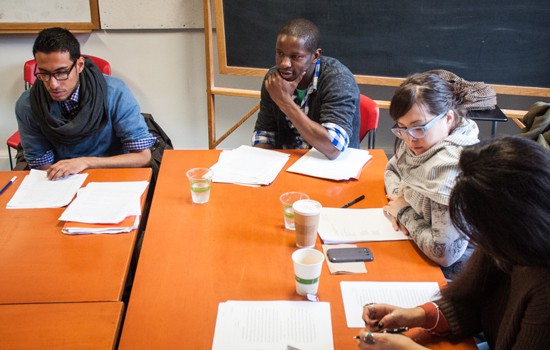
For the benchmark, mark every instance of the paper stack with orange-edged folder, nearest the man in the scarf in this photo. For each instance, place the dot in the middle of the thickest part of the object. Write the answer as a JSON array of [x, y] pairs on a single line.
[[105, 207]]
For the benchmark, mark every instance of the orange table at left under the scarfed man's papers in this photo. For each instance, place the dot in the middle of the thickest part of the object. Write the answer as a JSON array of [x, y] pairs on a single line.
[[39, 264]]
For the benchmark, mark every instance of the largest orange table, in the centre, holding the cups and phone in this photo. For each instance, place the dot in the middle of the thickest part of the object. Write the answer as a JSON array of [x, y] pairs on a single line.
[[235, 247]]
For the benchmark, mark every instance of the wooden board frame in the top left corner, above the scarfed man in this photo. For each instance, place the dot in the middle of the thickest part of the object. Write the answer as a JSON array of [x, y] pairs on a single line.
[[35, 27]]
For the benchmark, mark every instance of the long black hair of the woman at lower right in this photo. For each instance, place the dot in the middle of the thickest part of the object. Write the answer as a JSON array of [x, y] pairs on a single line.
[[501, 200]]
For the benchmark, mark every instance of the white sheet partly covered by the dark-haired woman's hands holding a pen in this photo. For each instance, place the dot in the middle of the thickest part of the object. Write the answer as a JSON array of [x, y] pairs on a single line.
[[403, 294]]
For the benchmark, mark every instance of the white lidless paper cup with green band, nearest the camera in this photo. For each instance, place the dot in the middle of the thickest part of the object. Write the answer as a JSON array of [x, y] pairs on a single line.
[[307, 270]]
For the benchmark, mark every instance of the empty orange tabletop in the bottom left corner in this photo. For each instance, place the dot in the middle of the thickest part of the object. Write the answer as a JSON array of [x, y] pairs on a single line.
[[60, 325]]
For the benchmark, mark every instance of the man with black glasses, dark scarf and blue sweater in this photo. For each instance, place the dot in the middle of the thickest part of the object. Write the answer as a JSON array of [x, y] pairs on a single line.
[[74, 117]]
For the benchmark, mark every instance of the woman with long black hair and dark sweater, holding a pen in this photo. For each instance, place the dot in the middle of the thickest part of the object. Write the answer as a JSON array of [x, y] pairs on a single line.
[[501, 201]]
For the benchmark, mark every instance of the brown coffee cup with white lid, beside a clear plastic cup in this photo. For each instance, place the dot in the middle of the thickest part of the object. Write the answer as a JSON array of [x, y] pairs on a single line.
[[306, 222]]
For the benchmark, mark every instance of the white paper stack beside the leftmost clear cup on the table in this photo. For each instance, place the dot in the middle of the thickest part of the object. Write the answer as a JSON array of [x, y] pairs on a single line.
[[248, 166]]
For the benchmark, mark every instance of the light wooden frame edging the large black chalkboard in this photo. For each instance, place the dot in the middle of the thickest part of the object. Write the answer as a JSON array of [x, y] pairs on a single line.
[[224, 68]]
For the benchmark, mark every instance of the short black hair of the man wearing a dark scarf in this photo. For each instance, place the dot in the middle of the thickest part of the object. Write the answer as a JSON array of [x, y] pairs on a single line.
[[56, 40]]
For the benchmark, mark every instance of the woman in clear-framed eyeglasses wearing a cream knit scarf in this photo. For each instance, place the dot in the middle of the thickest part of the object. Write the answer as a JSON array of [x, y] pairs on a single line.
[[431, 131]]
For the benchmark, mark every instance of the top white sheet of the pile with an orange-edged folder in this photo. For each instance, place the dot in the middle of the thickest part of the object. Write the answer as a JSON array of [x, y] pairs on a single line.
[[106, 202]]
